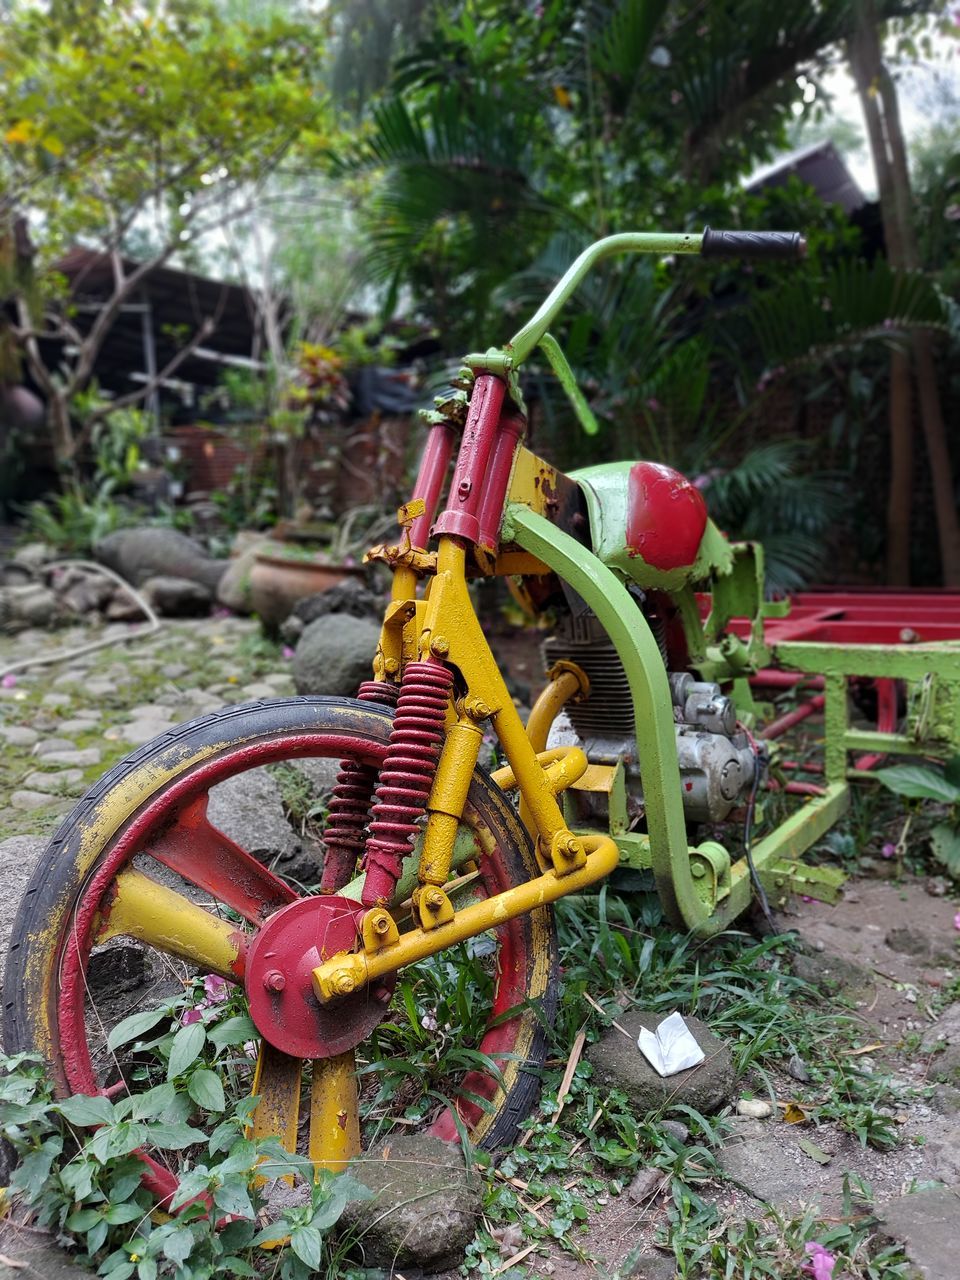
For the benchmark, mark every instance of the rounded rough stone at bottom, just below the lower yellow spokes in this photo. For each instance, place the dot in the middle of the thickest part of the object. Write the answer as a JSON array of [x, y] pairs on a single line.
[[426, 1209]]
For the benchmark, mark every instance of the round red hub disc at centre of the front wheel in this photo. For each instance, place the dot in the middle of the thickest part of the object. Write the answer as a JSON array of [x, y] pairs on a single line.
[[280, 970]]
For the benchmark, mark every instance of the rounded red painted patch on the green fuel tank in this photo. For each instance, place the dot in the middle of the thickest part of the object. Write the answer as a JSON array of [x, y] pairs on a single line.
[[666, 516]]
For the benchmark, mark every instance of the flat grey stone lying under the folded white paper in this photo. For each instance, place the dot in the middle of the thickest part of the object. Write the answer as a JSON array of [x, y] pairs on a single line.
[[619, 1064]]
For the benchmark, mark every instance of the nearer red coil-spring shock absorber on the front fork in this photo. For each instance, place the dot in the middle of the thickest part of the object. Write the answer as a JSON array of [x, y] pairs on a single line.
[[406, 776]]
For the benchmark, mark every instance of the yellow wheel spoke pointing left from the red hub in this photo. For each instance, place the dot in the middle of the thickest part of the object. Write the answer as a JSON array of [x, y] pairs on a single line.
[[168, 921]]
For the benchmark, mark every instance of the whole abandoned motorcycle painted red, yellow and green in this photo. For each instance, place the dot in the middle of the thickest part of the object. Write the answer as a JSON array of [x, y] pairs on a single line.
[[661, 648]]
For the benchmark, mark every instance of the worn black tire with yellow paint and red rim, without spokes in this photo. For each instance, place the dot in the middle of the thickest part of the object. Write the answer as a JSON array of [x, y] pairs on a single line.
[[222, 746]]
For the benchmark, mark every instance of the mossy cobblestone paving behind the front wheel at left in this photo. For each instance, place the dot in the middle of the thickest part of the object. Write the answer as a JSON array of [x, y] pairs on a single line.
[[62, 726]]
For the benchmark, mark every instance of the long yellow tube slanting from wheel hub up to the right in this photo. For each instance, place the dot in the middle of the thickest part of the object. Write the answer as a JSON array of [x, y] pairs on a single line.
[[351, 971]]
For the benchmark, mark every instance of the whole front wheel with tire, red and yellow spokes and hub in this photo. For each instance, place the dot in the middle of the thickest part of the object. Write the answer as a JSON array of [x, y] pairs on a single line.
[[139, 860]]
